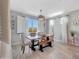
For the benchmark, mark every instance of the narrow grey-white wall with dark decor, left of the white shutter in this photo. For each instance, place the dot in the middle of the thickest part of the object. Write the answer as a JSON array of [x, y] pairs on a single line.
[[15, 36]]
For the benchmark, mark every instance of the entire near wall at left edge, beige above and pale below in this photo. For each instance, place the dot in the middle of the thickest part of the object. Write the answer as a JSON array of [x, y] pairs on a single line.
[[5, 30]]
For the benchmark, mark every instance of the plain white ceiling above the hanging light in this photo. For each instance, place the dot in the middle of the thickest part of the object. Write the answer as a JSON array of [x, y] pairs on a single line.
[[48, 6]]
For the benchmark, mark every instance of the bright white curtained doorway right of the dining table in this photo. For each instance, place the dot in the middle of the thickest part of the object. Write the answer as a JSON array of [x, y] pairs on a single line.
[[58, 27]]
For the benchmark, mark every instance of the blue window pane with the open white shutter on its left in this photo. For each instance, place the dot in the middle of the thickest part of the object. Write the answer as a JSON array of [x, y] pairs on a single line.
[[23, 24]]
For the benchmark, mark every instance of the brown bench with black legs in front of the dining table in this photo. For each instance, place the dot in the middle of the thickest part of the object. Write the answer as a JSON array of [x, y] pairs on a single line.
[[45, 41]]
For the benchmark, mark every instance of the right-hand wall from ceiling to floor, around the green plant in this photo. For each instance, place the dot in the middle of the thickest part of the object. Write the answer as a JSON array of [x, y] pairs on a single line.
[[73, 17]]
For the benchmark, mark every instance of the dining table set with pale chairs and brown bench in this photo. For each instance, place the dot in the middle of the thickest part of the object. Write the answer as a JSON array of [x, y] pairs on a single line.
[[40, 40]]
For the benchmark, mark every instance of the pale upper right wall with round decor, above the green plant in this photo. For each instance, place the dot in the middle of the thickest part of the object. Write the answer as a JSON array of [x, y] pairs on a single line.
[[73, 17]]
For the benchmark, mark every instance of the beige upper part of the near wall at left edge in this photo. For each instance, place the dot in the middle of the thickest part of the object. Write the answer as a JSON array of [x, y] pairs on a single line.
[[5, 21]]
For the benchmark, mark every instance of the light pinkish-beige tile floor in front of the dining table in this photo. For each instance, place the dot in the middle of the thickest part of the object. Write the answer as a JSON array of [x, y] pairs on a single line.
[[58, 51]]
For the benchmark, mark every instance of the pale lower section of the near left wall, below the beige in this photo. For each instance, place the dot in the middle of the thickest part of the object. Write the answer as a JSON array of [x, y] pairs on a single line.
[[5, 51]]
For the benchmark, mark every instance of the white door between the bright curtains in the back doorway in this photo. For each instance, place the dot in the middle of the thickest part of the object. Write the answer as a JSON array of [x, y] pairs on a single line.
[[57, 30]]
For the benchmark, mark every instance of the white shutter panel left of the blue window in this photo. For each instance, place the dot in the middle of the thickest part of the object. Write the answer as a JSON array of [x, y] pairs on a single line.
[[21, 24]]
